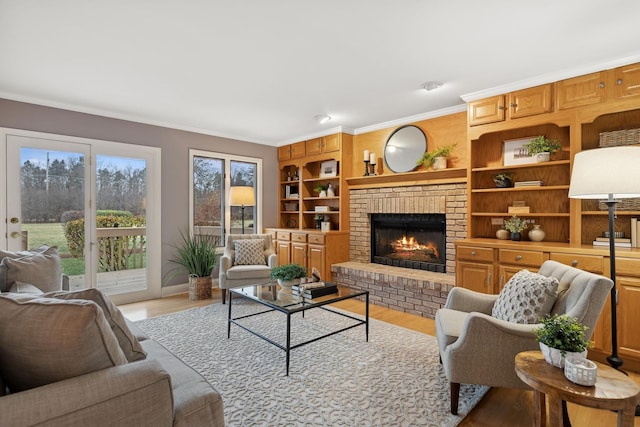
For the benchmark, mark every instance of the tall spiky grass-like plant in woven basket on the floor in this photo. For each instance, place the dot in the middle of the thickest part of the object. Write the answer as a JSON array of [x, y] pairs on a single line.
[[197, 256]]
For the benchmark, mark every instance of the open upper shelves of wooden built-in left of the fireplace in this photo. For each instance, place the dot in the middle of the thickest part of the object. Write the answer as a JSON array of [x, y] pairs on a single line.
[[322, 165]]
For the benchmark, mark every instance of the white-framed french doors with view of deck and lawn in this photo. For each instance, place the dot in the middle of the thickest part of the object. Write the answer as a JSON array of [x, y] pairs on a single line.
[[92, 200]]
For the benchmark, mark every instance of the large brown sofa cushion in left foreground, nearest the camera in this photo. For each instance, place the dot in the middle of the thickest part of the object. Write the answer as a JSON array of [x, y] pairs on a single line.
[[45, 340]]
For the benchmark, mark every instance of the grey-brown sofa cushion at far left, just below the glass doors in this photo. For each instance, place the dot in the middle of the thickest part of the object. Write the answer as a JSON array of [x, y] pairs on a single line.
[[40, 268]]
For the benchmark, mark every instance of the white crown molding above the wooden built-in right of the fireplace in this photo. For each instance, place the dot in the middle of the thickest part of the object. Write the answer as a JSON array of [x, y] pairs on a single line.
[[551, 77]]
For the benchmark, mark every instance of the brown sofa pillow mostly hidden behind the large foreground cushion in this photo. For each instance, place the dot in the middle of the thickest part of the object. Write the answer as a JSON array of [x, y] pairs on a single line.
[[128, 343]]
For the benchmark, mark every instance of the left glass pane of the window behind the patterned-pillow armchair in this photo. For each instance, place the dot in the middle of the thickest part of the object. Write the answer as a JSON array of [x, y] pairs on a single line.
[[208, 202]]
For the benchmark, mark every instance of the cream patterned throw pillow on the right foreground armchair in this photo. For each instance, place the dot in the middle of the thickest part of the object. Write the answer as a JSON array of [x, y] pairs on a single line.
[[525, 298]]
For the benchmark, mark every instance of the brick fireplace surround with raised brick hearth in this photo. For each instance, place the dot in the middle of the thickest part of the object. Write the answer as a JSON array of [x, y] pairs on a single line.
[[412, 291]]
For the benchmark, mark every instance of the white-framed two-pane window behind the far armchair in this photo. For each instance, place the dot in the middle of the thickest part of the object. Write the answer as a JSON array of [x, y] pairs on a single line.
[[211, 177]]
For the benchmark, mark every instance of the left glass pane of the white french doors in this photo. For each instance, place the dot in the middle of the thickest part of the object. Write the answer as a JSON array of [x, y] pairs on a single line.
[[52, 205]]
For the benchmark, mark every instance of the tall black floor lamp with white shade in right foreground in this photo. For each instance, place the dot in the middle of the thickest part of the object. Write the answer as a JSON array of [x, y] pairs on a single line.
[[611, 174]]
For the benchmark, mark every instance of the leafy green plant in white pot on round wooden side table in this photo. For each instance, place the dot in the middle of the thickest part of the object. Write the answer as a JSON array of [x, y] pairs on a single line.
[[561, 336]]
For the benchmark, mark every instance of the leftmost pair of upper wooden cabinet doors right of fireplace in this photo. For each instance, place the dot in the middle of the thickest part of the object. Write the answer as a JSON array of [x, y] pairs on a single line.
[[522, 103]]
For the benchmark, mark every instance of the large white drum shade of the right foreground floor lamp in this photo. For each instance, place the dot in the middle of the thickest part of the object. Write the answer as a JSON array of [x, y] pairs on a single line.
[[604, 172]]
